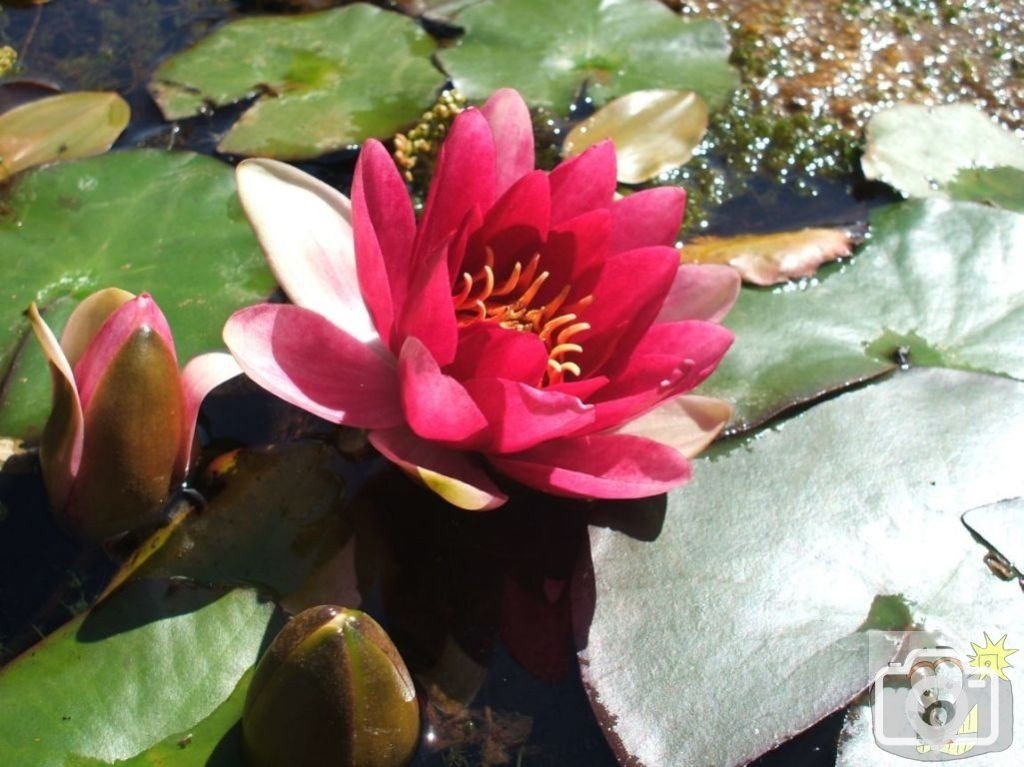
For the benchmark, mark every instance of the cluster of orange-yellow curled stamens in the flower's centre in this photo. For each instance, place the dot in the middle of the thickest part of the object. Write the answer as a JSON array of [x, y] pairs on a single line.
[[481, 300]]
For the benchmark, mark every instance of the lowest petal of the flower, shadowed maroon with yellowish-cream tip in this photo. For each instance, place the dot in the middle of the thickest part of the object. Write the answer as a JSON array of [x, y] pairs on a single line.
[[451, 475]]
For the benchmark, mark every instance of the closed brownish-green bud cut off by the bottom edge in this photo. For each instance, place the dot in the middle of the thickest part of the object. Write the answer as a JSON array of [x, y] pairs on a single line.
[[331, 692]]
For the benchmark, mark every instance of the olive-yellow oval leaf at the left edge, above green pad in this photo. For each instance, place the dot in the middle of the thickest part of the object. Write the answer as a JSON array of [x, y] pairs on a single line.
[[62, 127]]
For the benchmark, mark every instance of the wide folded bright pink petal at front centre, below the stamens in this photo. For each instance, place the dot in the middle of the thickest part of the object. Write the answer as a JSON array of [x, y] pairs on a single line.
[[522, 416]]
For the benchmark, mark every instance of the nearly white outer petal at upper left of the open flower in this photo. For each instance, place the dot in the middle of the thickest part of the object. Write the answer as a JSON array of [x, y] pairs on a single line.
[[306, 229]]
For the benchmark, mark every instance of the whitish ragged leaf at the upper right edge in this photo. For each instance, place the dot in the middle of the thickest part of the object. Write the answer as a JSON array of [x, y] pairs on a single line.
[[920, 150]]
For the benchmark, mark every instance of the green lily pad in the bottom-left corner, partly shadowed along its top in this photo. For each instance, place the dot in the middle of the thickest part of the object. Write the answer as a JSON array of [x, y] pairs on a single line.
[[150, 662]]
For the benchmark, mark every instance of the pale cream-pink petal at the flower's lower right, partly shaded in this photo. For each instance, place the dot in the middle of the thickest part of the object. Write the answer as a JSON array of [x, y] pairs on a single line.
[[689, 423]]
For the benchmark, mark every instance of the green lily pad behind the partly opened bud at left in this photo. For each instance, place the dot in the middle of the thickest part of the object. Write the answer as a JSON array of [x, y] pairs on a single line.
[[164, 223]]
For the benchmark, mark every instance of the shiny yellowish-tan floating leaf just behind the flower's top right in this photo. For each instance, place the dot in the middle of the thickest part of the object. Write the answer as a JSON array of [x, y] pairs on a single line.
[[654, 132]]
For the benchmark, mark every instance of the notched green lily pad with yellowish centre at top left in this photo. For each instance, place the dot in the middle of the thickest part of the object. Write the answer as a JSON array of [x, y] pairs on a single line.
[[326, 81]]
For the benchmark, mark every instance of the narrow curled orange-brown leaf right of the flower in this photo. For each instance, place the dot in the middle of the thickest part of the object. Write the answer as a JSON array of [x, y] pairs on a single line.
[[769, 260]]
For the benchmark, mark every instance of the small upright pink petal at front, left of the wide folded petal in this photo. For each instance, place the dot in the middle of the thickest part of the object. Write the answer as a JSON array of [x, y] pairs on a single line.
[[437, 407]]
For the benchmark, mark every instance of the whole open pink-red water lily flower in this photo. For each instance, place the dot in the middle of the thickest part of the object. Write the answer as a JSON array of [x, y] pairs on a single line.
[[529, 319]]
